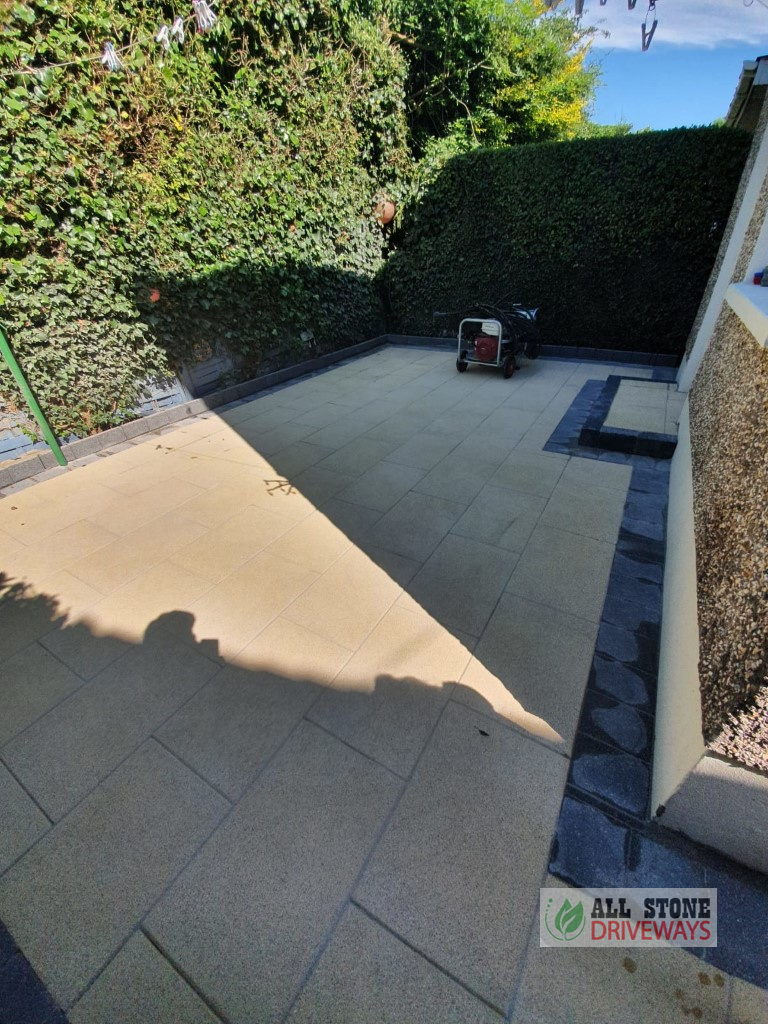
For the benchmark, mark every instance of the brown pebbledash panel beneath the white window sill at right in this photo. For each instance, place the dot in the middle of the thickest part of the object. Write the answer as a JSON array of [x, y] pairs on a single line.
[[730, 432]]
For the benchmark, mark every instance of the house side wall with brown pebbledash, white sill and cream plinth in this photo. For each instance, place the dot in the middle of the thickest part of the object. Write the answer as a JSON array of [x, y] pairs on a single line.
[[711, 759]]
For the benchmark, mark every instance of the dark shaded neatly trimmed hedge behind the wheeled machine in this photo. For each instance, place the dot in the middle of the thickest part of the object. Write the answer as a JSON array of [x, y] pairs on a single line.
[[613, 239]]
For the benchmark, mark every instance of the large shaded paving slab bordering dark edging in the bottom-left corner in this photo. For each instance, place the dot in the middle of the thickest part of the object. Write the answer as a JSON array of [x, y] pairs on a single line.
[[74, 899]]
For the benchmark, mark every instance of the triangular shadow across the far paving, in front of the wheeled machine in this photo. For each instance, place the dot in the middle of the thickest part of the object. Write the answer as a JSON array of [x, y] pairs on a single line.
[[428, 492]]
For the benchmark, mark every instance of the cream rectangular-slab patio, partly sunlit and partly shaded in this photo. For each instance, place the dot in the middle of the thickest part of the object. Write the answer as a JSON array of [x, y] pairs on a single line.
[[290, 693]]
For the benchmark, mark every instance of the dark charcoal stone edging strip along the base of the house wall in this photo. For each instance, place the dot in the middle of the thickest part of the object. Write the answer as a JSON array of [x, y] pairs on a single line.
[[605, 836]]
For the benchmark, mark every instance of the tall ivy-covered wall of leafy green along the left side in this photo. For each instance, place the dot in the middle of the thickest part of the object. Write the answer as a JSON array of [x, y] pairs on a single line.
[[221, 194]]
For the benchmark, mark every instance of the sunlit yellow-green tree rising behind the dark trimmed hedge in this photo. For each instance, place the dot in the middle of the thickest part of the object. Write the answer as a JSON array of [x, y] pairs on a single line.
[[493, 72]]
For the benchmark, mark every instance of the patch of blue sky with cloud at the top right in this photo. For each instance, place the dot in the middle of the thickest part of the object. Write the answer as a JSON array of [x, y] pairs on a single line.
[[690, 74]]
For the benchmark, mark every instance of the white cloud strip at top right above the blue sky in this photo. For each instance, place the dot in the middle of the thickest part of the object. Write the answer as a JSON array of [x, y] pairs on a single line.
[[681, 23]]
